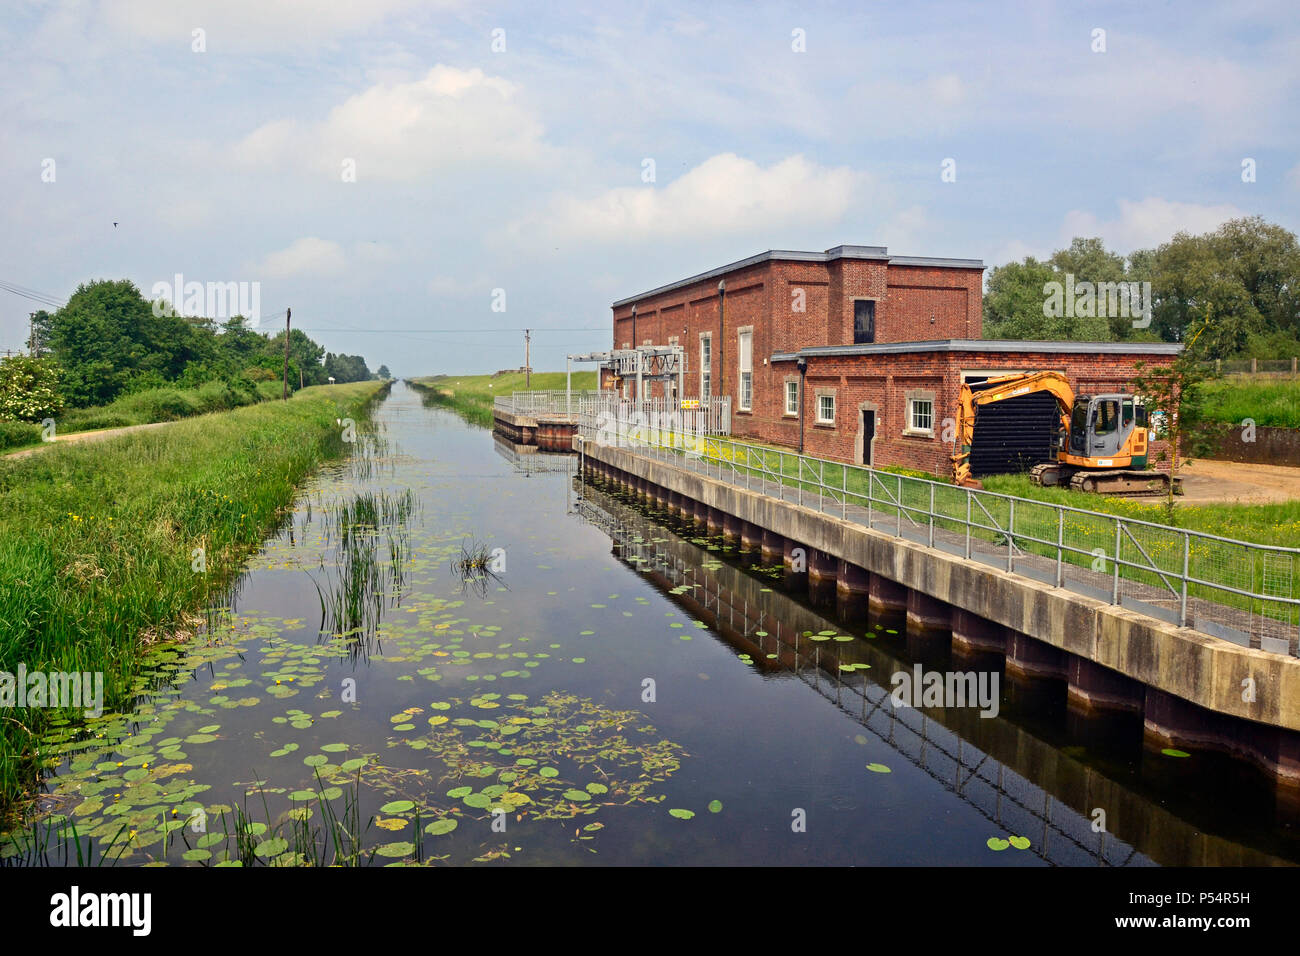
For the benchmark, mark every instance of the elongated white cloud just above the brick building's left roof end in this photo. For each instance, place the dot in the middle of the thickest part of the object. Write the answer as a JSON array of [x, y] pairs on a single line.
[[726, 194]]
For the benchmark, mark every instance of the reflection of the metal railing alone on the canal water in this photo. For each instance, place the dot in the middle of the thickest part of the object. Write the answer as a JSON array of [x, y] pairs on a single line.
[[1011, 802]]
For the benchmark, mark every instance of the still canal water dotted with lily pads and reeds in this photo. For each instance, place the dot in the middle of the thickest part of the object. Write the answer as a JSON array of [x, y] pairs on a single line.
[[457, 652]]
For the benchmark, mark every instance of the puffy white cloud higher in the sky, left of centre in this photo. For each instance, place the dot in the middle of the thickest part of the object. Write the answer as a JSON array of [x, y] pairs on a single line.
[[404, 132]]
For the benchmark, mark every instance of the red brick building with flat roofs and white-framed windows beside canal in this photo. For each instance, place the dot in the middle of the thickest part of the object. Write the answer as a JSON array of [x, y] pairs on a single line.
[[851, 354]]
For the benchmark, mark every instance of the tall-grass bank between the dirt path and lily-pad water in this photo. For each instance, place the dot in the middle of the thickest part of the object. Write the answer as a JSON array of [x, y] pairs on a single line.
[[98, 542]]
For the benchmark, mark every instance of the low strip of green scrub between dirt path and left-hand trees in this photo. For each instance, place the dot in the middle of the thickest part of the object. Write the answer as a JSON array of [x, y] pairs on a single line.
[[142, 409]]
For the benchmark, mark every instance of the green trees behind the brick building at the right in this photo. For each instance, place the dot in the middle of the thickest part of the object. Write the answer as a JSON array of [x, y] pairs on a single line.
[[1242, 282]]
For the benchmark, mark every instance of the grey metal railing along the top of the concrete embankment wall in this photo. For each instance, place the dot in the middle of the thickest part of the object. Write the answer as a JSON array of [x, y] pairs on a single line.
[[1238, 591]]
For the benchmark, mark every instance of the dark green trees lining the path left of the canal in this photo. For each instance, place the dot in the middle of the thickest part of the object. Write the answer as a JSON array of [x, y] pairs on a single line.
[[110, 341]]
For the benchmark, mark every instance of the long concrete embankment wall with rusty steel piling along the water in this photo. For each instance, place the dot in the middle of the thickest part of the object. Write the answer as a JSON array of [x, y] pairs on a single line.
[[1190, 689]]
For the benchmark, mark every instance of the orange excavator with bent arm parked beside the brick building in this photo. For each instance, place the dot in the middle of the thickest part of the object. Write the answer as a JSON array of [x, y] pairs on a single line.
[[1102, 442]]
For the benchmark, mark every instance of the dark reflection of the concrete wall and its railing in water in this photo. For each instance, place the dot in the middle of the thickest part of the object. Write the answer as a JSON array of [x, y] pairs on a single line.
[[1019, 781]]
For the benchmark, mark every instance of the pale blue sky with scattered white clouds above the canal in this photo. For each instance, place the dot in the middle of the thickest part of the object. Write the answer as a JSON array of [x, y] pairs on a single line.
[[423, 181]]
